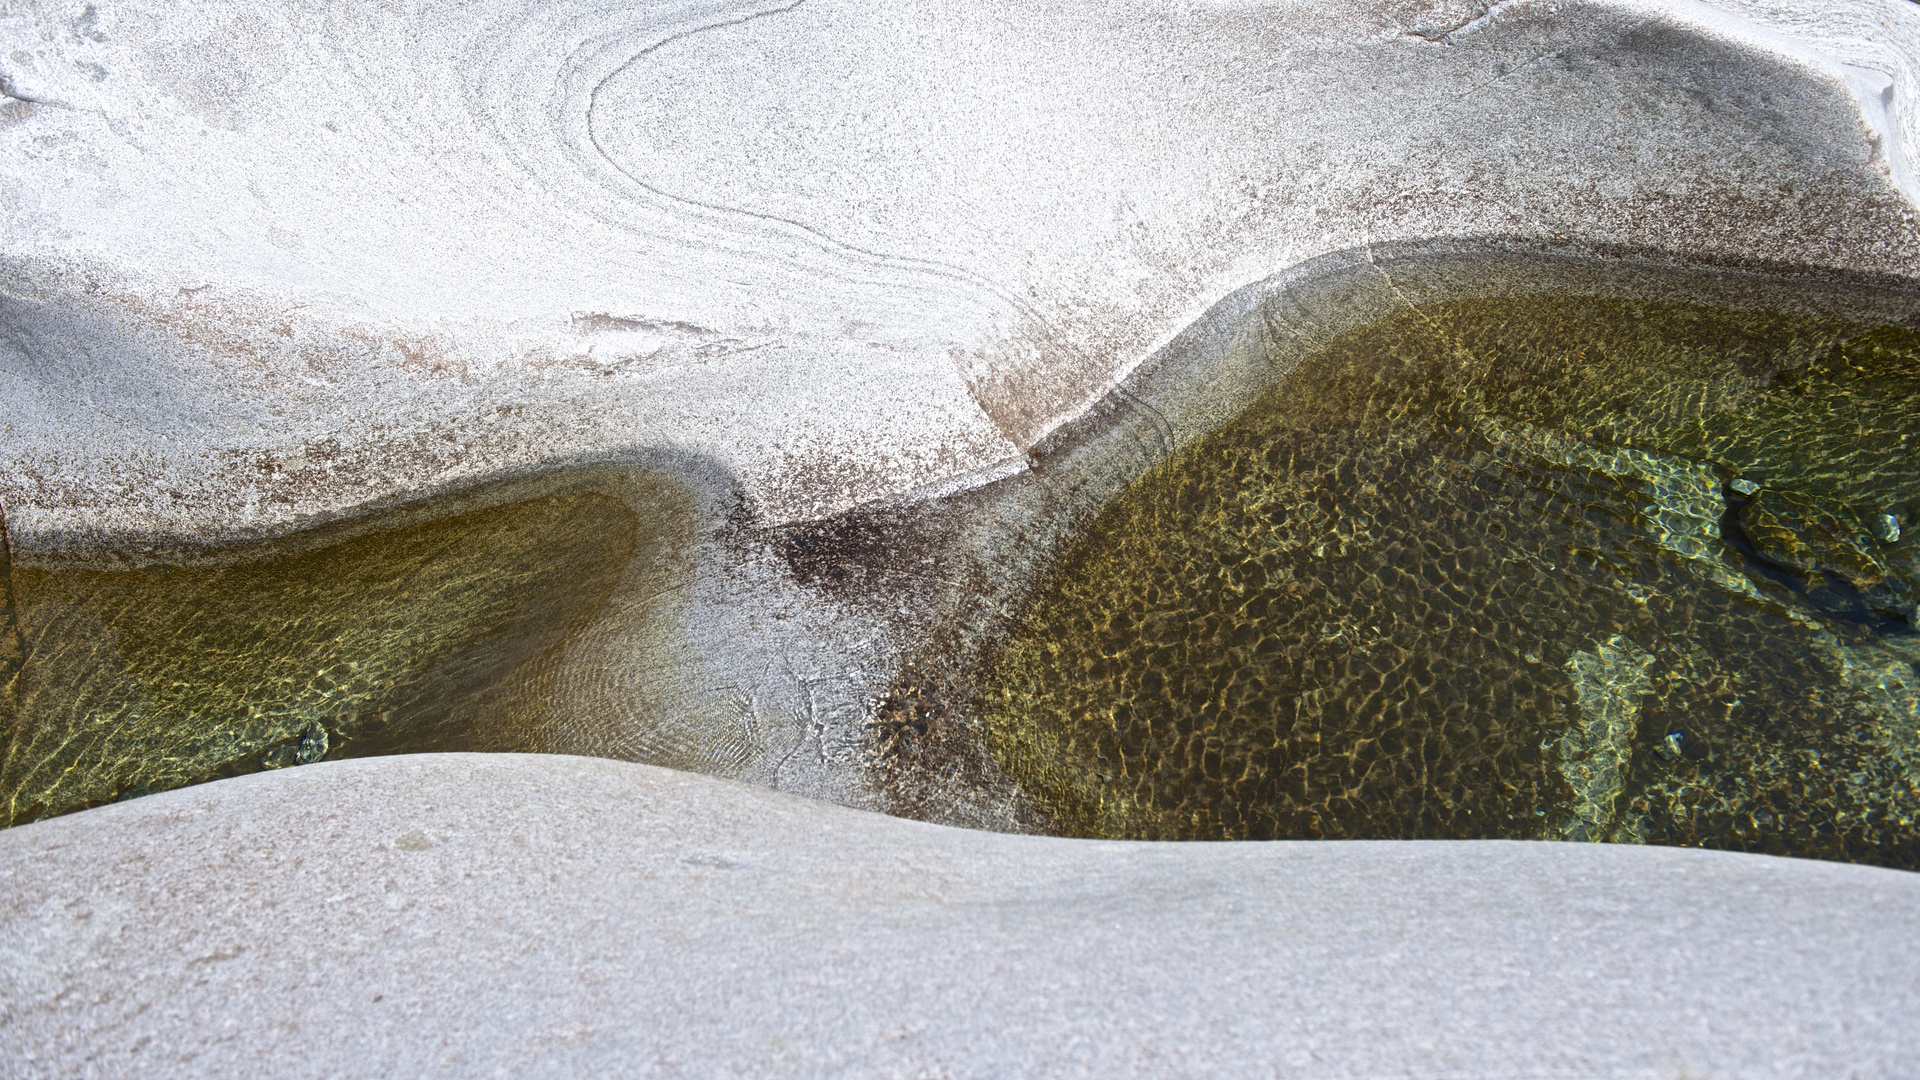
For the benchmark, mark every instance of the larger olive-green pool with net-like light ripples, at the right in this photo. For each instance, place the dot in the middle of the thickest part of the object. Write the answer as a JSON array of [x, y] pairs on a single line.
[[1479, 572]]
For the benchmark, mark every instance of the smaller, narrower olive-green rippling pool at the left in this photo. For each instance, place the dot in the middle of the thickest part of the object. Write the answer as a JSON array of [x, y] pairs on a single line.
[[385, 639]]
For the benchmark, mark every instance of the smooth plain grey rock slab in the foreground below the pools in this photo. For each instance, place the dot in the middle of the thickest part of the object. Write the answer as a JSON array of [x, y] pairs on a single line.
[[469, 916]]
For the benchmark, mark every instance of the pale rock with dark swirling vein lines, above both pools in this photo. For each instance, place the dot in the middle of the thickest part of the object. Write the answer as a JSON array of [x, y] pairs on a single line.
[[842, 251]]
